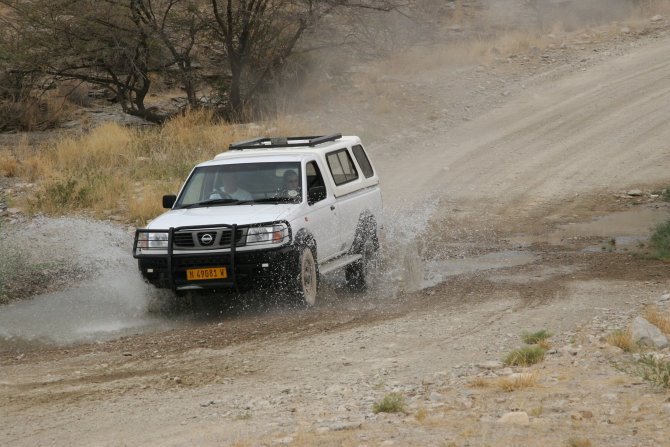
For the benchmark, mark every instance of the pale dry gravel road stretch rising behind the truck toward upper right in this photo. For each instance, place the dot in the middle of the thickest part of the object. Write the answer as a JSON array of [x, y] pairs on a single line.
[[601, 129]]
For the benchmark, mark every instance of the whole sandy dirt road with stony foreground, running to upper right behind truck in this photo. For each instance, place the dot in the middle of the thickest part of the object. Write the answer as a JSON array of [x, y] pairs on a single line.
[[519, 206]]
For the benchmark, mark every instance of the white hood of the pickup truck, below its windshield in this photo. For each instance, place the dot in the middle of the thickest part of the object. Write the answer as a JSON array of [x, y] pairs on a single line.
[[240, 215]]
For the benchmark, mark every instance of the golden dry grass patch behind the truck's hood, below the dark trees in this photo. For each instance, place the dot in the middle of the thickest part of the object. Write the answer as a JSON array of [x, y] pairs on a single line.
[[121, 171]]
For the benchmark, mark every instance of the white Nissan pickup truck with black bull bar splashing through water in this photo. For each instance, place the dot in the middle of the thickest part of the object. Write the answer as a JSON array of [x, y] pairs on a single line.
[[270, 213]]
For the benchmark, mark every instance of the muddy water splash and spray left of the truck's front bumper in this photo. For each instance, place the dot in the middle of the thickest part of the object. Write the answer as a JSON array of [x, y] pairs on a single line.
[[112, 302]]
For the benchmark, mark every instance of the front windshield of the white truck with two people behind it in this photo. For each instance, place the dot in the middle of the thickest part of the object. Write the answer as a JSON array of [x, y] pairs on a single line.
[[242, 184]]
